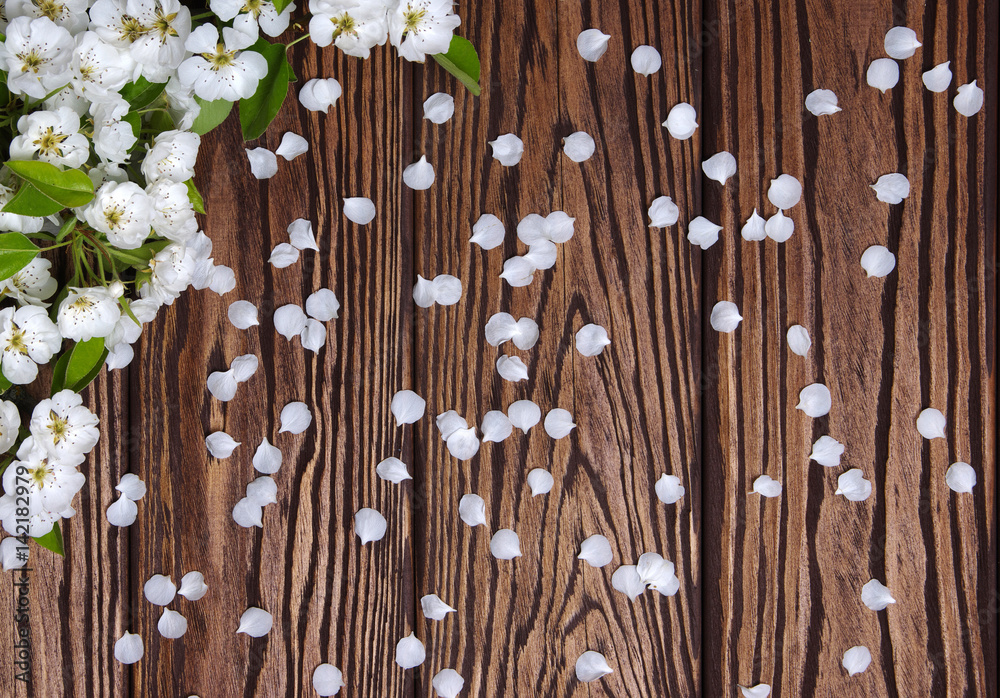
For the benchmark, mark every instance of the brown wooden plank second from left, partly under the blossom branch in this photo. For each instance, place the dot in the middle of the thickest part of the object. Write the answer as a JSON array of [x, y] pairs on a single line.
[[332, 599]]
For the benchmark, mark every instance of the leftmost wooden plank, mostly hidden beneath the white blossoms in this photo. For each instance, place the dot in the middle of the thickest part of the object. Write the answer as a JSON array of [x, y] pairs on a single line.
[[78, 604]]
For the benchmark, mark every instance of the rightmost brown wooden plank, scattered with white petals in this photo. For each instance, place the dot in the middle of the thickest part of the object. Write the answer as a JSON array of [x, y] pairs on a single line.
[[783, 576]]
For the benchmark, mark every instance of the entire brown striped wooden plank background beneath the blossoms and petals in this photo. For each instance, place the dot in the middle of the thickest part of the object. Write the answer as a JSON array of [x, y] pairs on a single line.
[[770, 589]]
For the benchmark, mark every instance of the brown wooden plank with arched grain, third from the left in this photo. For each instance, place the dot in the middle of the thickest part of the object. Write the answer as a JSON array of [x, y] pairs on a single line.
[[521, 625]]
